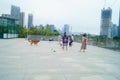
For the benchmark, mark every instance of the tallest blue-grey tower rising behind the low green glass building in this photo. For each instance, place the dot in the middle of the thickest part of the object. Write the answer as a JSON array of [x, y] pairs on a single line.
[[15, 12]]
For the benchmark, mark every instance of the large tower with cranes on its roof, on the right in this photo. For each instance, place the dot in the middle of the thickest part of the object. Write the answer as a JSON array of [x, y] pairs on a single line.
[[106, 24]]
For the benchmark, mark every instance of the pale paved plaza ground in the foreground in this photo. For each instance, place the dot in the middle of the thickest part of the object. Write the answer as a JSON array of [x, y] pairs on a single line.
[[47, 61]]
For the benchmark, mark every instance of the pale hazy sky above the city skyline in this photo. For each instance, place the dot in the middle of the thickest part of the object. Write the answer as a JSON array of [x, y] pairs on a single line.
[[81, 15]]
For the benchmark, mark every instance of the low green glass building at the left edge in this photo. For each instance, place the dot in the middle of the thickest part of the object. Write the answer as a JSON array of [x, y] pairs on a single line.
[[8, 26]]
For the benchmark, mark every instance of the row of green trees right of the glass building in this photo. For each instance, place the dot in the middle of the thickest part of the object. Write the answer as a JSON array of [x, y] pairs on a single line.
[[37, 31]]
